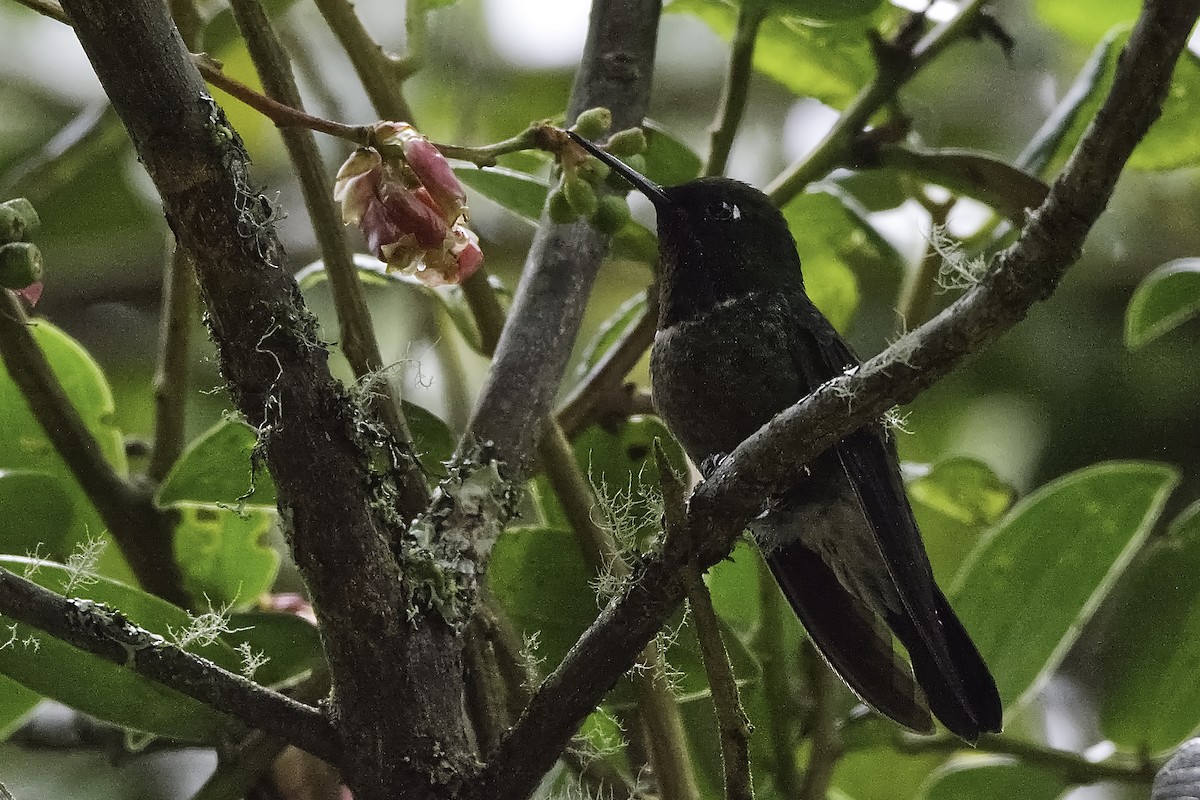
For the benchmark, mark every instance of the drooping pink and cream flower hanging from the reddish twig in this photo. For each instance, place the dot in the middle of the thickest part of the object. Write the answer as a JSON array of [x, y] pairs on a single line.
[[407, 202]]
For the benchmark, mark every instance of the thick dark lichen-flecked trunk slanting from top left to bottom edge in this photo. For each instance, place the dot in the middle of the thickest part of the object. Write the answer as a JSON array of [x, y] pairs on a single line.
[[398, 683]]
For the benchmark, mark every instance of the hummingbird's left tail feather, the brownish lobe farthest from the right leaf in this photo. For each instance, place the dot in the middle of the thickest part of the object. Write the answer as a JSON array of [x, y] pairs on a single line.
[[853, 639]]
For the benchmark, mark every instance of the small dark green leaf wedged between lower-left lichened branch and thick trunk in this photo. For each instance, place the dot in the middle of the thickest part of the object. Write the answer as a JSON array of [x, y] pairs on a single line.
[[292, 645]]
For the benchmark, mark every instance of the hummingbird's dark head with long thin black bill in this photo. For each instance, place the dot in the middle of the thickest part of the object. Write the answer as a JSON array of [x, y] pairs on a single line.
[[719, 240]]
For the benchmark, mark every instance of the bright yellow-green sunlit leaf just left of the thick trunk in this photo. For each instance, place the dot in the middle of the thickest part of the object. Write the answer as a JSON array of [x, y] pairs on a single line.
[[224, 555]]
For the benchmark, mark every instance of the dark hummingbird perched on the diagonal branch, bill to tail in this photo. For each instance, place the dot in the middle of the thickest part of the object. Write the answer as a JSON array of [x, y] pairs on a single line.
[[739, 341]]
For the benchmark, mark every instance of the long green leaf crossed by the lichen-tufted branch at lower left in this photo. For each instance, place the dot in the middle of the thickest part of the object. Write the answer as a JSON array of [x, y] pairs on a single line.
[[103, 689]]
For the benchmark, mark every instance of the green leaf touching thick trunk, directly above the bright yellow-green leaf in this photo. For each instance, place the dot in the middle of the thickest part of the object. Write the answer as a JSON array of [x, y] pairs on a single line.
[[220, 468]]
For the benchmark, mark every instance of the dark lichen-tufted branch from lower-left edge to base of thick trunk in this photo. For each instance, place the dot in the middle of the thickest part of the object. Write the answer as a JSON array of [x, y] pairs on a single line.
[[110, 635]]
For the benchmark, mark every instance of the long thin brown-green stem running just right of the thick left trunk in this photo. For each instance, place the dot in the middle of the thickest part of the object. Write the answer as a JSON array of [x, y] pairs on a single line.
[[358, 338]]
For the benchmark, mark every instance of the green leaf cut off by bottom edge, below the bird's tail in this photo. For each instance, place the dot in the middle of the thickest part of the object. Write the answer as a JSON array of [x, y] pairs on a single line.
[[974, 778]]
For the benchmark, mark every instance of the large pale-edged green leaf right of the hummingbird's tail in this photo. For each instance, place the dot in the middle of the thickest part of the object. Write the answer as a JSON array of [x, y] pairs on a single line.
[[1036, 580]]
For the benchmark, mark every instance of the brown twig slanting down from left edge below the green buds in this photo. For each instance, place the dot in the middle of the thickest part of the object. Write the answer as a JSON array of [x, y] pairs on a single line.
[[143, 533]]
